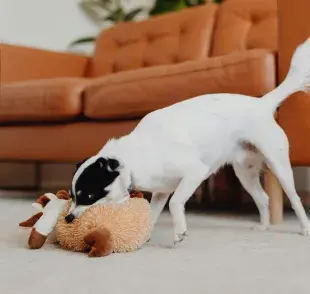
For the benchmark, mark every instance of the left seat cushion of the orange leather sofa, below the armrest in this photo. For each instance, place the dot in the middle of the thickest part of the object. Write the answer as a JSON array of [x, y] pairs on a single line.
[[41, 100]]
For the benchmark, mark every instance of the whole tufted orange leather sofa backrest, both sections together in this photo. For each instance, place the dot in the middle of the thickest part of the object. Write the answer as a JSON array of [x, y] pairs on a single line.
[[194, 33]]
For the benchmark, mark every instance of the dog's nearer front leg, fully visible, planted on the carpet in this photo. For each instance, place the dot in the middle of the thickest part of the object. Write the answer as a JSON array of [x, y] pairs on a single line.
[[186, 188]]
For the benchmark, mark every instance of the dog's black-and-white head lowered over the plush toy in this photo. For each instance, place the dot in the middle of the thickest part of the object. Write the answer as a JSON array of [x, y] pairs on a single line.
[[98, 180]]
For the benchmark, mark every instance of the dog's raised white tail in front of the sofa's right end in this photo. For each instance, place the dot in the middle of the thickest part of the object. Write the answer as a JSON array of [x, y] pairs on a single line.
[[297, 79]]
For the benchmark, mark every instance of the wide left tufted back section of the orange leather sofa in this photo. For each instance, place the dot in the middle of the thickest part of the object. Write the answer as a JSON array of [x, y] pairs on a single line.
[[165, 39]]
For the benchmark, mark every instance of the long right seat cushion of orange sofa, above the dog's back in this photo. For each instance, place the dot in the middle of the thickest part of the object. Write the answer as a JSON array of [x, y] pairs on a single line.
[[136, 93]]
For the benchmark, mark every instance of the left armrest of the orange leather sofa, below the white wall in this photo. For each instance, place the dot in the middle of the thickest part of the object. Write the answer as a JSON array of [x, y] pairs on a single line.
[[20, 63]]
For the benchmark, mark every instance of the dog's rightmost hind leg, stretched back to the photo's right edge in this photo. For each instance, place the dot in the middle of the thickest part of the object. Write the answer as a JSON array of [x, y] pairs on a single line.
[[275, 148]]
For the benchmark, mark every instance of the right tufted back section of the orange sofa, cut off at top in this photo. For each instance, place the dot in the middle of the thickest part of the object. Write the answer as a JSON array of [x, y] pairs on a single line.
[[245, 24]]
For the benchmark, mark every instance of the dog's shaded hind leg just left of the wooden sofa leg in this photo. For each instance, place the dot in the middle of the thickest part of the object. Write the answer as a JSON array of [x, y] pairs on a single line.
[[248, 173]]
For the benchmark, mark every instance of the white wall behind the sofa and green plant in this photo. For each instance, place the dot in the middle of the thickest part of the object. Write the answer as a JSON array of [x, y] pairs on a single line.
[[49, 24]]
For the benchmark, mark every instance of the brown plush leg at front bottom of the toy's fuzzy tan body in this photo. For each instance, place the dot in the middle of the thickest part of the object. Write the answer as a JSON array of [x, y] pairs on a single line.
[[100, 241]]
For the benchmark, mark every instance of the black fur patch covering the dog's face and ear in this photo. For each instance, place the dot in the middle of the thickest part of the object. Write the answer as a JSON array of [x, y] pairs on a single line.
[[91, 184]]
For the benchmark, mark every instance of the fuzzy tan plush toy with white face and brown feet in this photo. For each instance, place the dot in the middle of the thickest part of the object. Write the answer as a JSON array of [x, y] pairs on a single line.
[[100, 230]]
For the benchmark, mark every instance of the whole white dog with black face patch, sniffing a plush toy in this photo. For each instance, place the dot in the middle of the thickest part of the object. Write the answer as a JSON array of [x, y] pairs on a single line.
[[174, 149]]
